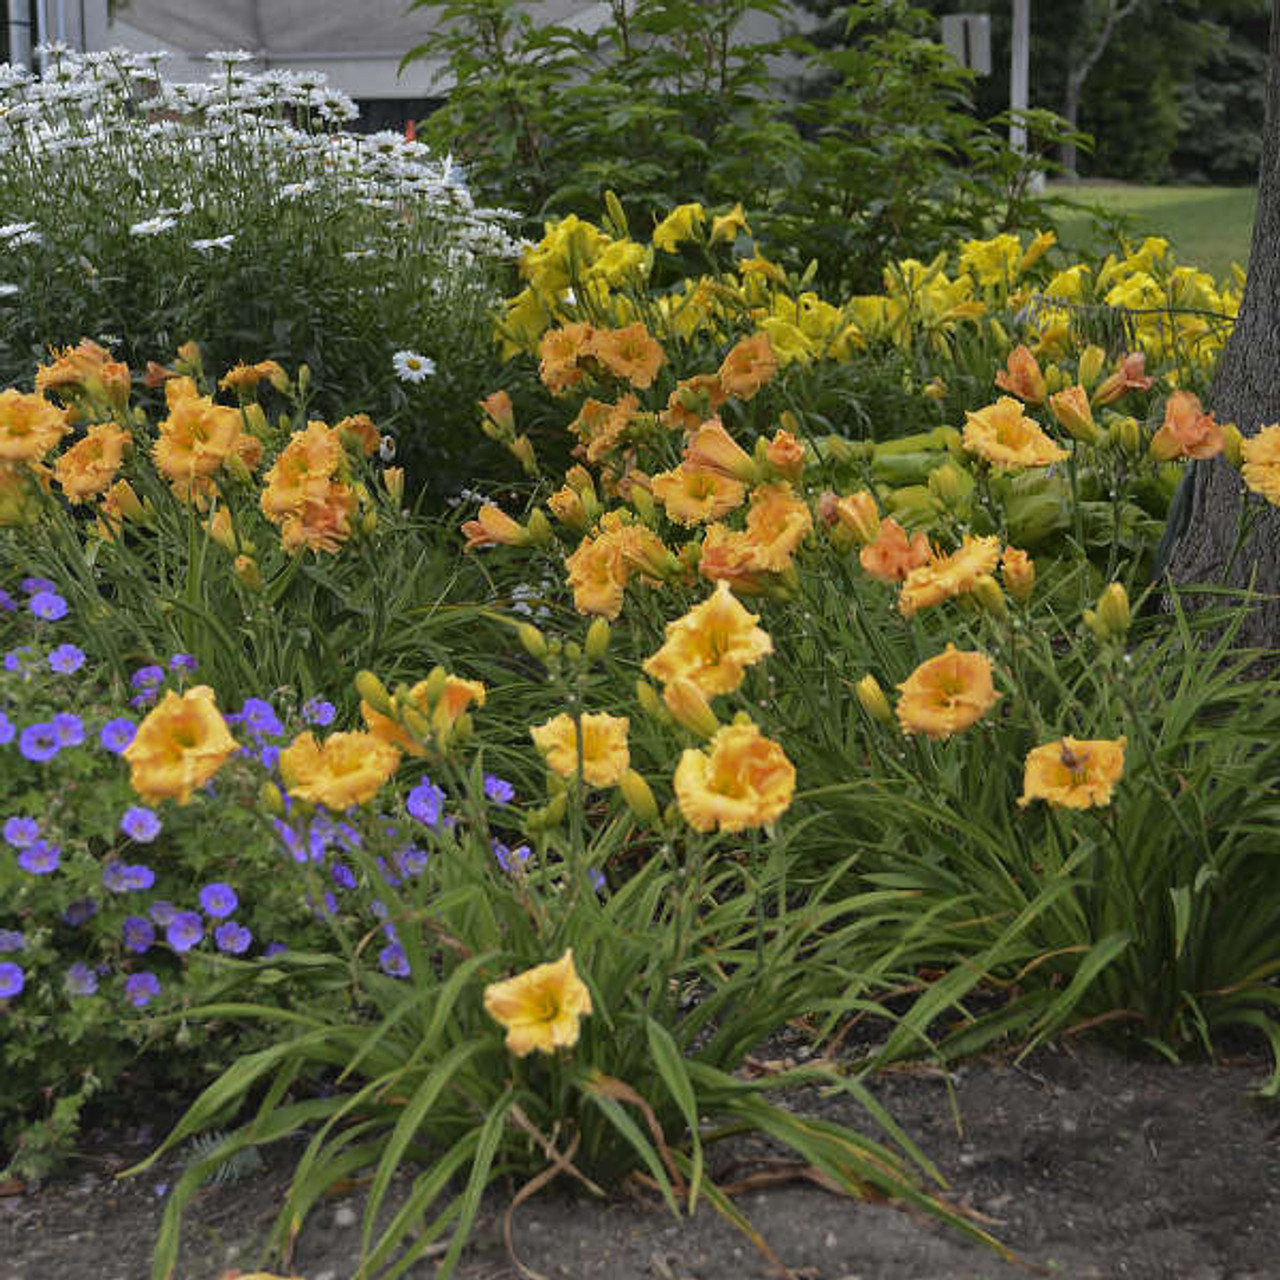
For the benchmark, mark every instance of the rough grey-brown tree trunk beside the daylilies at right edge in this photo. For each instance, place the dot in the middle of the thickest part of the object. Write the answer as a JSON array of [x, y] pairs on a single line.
[[1246, 391]]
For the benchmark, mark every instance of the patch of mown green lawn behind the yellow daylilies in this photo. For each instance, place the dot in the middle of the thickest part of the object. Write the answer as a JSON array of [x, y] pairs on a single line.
[[1210, 227]]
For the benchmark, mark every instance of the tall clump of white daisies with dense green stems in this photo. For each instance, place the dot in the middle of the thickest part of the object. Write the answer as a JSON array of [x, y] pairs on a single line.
[[237, 213]]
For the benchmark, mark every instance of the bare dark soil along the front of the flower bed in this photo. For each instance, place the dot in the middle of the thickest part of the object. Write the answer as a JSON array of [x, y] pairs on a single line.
[[1092, 1167]]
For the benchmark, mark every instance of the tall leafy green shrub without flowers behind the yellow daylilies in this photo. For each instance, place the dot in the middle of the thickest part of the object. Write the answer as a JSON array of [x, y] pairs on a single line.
[[847, 156]]
